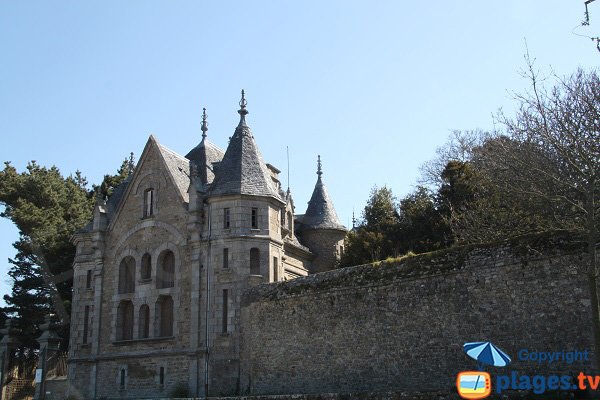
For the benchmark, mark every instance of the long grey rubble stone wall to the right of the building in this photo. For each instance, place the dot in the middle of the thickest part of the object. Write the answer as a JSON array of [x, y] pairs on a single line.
[[400, 326]]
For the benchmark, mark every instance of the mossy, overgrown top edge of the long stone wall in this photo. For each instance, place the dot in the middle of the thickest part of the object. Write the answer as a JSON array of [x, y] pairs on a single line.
[[522, 249]]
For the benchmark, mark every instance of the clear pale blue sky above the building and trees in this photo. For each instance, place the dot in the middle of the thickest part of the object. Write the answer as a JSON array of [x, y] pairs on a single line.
[[374, 87]]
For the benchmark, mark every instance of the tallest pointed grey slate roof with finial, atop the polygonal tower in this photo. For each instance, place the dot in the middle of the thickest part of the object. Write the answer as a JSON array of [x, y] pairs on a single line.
[[242, 169]]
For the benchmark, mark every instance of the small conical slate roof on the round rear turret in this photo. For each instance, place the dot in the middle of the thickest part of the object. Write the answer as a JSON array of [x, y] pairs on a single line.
[[320, 213]]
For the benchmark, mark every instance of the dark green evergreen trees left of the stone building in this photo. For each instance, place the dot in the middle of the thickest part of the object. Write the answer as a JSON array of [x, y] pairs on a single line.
[[48, 209]]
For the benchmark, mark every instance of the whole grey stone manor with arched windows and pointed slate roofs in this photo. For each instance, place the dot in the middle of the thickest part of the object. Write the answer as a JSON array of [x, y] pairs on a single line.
[[160, 270]]
